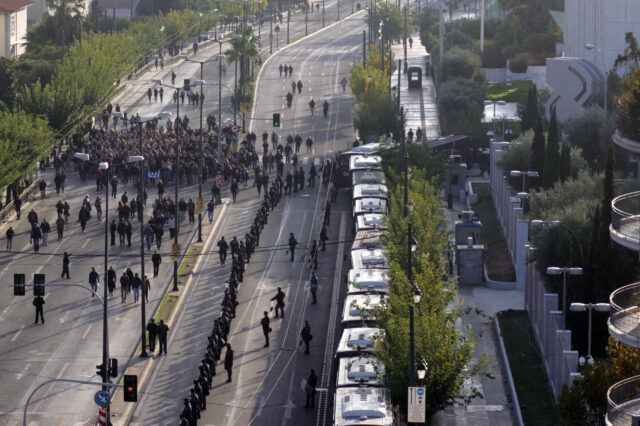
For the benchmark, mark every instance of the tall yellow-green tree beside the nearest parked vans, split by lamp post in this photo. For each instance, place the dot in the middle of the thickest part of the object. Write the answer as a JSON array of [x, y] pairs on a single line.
[[448, 352]]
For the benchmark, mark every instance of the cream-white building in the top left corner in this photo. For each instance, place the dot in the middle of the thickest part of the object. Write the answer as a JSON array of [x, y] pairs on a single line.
[[13, 26]]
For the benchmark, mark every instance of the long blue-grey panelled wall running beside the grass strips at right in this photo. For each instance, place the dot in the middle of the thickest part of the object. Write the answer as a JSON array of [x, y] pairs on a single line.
[[554, 342]]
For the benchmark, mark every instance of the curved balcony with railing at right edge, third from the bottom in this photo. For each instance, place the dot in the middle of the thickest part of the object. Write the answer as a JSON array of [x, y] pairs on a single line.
[[625, 220]]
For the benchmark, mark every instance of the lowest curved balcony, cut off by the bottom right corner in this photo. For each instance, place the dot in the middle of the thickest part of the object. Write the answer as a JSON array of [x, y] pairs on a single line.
[[623, 399]]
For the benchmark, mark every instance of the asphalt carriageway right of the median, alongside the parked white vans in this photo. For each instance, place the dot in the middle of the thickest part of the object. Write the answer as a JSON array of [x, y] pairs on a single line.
[[267, 387]]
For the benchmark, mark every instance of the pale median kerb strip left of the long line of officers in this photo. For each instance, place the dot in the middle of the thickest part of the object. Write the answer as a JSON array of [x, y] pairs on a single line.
[[127, 413]]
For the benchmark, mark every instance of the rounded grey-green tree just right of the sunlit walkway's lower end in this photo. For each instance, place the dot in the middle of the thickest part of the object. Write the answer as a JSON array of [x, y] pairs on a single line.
[[459, 101]]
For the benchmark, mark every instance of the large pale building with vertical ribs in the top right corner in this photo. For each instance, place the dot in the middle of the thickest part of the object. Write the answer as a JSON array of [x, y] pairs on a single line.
[[595, 29]]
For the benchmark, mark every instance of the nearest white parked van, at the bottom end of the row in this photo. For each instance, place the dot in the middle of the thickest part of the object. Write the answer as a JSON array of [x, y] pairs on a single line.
[[359, 406]]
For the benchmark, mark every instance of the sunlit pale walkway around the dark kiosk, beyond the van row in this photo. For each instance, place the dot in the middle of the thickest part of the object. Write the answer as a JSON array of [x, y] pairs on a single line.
[[420, 109]]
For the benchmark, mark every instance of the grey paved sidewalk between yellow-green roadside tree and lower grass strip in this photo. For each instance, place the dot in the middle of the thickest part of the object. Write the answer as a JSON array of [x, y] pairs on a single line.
[[479, 305]]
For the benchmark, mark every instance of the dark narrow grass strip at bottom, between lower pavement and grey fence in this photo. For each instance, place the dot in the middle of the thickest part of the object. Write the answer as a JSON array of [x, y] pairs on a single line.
[[535, 397]]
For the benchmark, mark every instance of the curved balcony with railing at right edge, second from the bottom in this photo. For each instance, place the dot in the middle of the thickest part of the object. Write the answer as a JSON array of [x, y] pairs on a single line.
[[624, 321]]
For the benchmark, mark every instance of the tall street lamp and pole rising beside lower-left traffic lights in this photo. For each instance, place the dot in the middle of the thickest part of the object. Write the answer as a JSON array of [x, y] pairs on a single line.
[[103, 165]]
